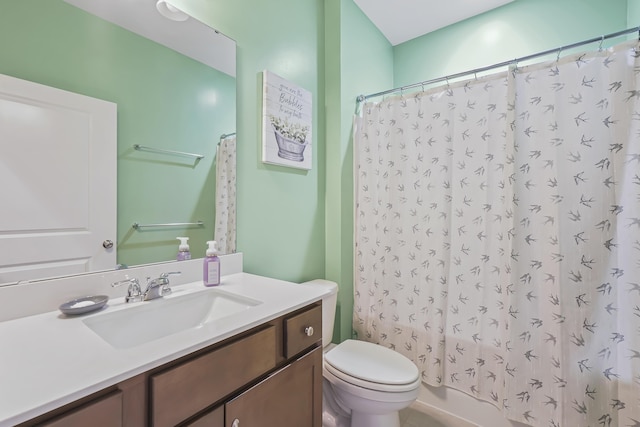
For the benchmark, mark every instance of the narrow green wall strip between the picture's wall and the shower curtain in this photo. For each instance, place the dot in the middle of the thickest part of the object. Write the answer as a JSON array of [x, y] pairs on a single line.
[[361, 62]]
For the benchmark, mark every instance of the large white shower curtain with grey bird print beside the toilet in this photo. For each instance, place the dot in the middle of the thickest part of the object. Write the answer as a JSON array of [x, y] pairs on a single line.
[[498, 237]]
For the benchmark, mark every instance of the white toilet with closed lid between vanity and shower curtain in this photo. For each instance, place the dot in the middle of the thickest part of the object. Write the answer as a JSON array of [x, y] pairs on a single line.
[[365, 384]]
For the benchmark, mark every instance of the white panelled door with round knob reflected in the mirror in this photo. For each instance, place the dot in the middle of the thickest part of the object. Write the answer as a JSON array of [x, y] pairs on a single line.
[[57, 181]]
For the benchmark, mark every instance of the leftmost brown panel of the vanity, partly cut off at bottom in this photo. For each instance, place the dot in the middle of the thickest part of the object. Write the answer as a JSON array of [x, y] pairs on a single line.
[[104, 412]]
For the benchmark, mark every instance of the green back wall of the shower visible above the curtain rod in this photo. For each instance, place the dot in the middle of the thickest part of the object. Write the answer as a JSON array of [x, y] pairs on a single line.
[[517, 29]]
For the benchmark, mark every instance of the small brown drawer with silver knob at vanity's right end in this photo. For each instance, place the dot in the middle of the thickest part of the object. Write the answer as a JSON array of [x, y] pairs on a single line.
[[302, 330]]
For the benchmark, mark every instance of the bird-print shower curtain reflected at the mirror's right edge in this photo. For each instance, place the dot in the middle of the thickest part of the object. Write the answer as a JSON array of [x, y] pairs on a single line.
[[225, 231]]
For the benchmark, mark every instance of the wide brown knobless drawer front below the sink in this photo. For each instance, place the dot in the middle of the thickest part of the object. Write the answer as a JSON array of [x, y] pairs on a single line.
[[186, 389]]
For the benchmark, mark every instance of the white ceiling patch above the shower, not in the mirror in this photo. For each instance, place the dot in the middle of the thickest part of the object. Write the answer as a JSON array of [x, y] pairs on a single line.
[[403, 20]]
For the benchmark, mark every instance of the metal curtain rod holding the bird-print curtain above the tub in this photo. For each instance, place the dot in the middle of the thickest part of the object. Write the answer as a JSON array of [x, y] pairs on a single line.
[[601, 39]]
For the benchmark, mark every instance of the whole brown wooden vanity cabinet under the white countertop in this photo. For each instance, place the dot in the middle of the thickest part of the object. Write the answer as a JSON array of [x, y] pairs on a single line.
[[270, 375]]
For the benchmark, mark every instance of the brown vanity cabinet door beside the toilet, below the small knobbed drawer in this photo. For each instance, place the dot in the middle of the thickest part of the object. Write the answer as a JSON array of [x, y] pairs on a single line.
[[291, 397]]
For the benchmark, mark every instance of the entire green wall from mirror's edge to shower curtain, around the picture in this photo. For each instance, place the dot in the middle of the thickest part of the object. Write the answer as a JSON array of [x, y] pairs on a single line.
[[298, 225]]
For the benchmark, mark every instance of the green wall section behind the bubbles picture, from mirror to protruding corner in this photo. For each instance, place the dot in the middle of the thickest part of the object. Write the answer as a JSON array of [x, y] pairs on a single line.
[[281, 211]]
